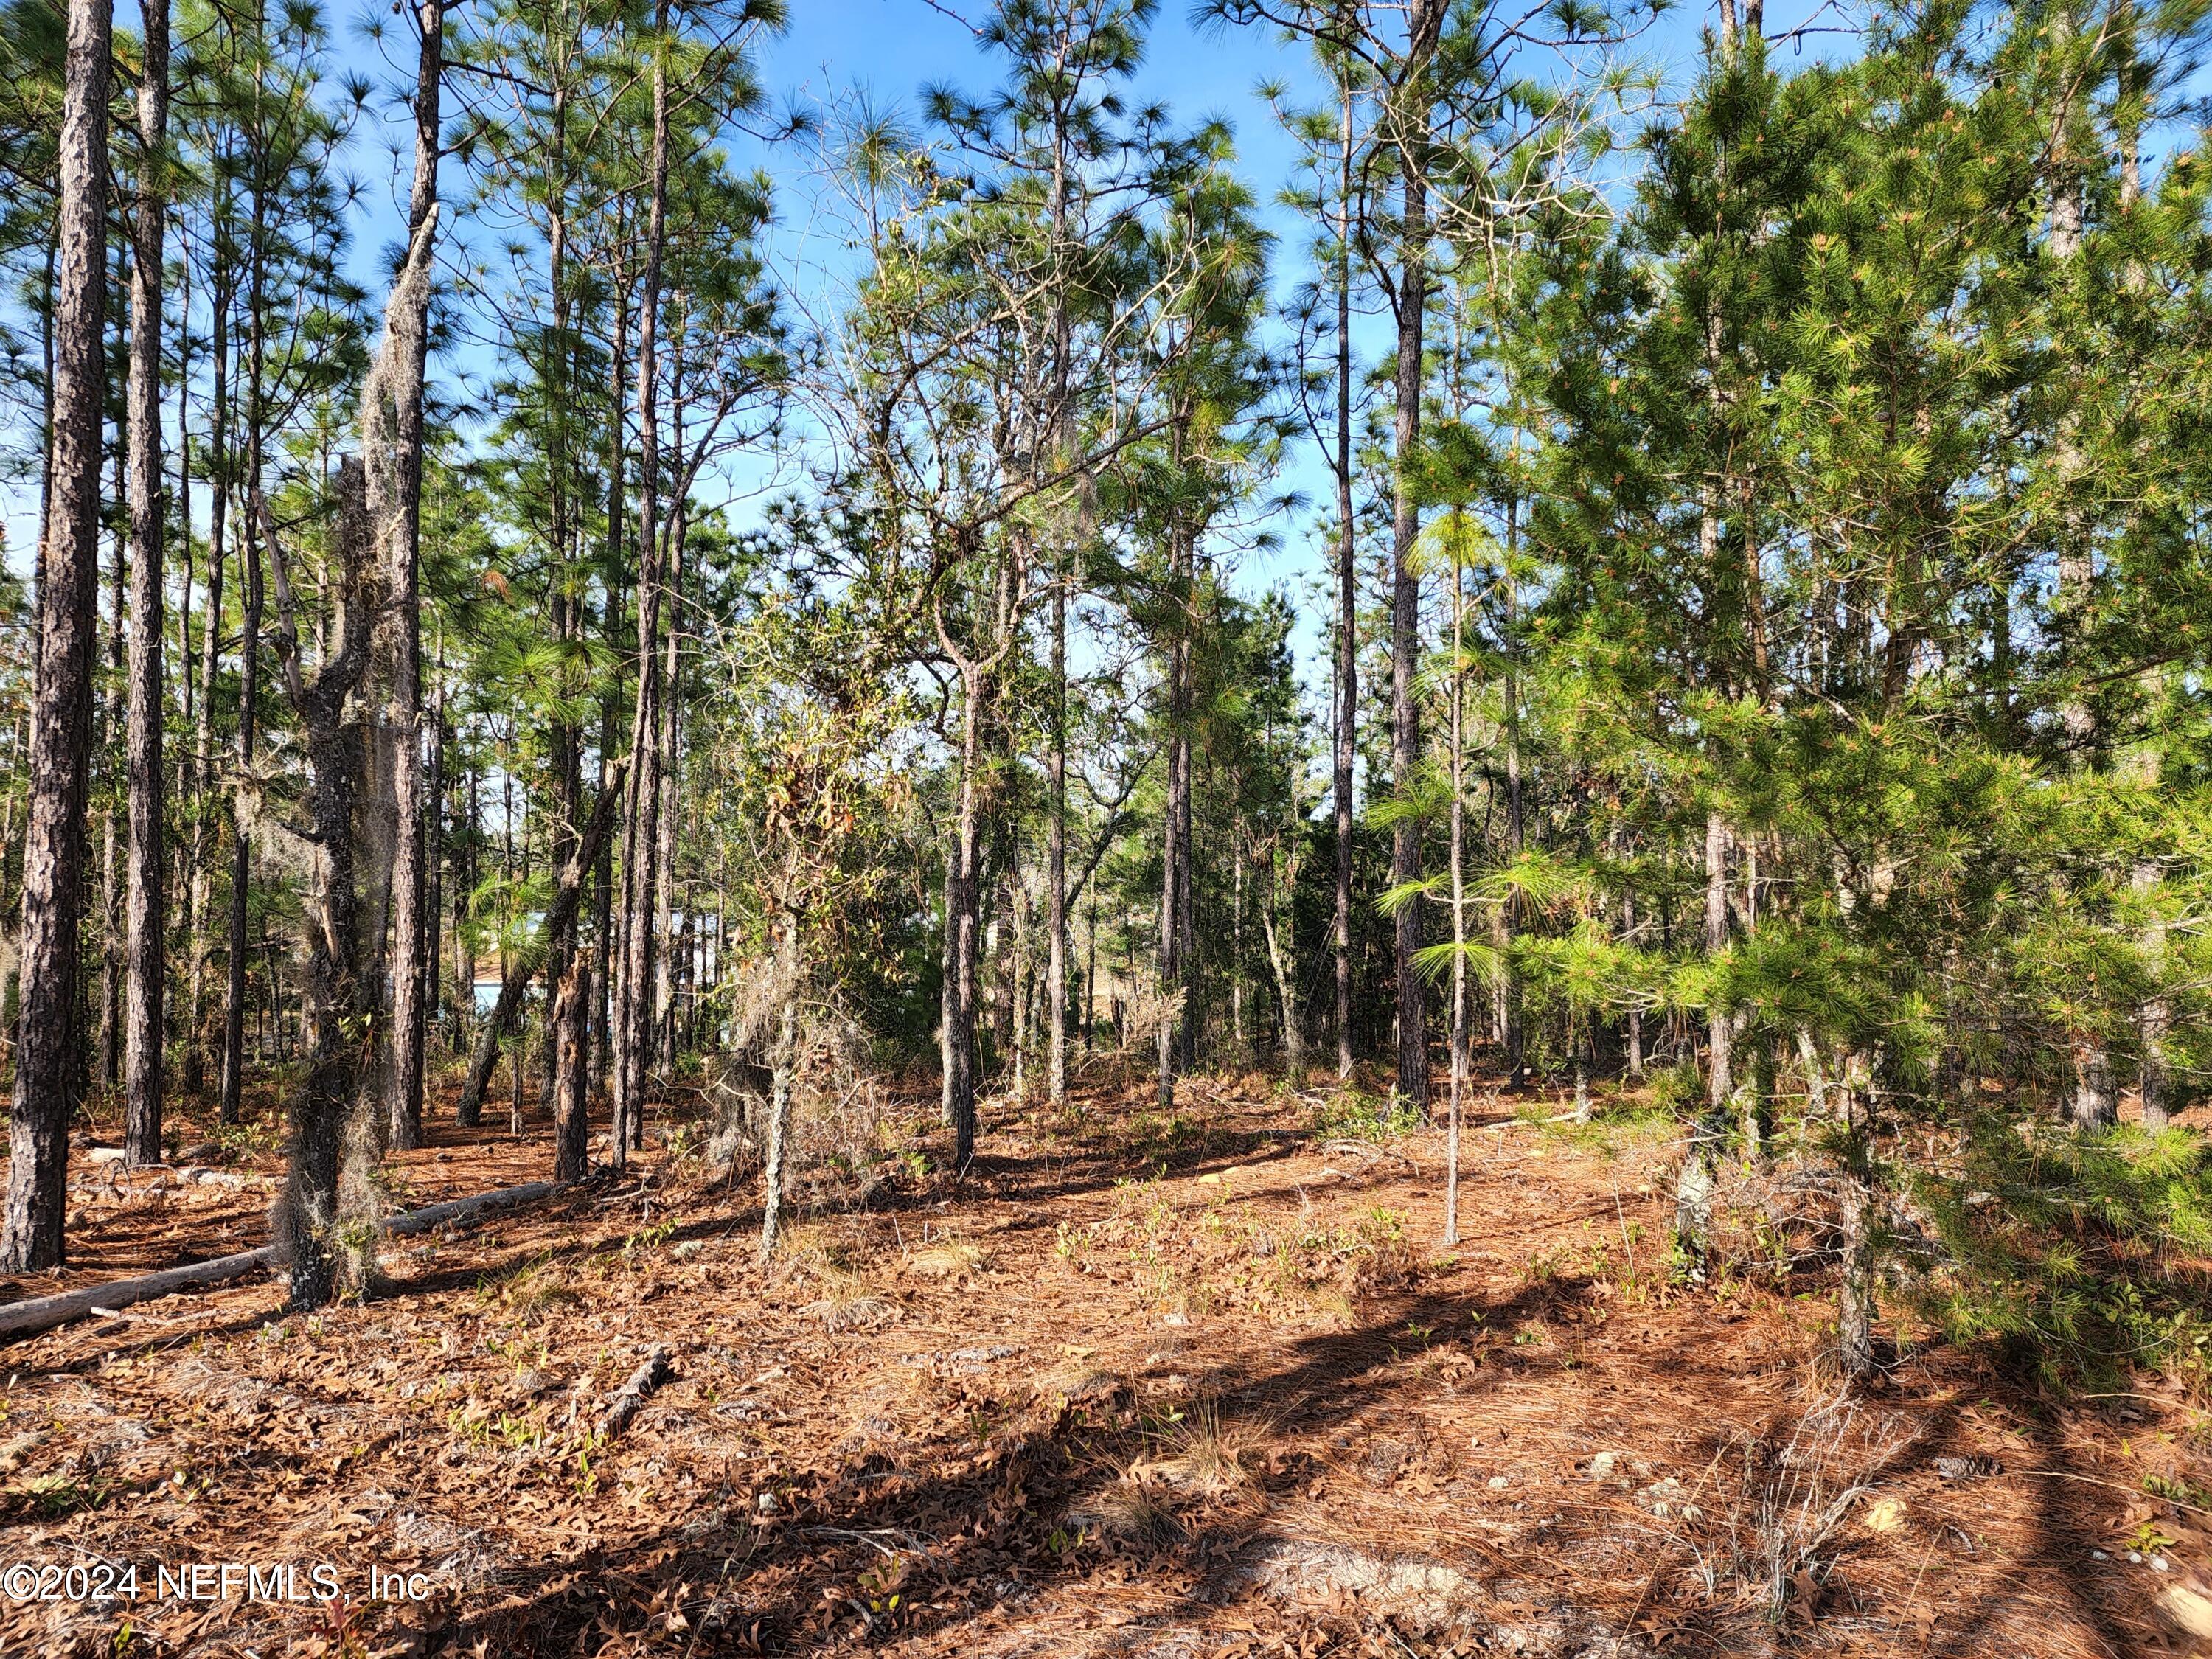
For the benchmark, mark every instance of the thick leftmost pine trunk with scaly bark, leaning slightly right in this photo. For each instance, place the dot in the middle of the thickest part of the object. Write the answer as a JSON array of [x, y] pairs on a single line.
[[63, 687]]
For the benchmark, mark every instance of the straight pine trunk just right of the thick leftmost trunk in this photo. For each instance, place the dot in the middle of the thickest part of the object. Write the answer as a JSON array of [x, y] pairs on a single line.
[[147, 915]]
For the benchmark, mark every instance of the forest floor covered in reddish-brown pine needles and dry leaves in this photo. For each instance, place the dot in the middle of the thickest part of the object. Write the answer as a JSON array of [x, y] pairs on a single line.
[[1198, 1384]]
